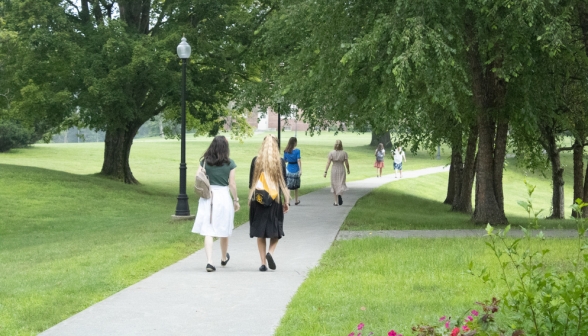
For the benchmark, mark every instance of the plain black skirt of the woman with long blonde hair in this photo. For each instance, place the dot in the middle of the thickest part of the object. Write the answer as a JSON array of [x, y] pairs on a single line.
[[266, 222]]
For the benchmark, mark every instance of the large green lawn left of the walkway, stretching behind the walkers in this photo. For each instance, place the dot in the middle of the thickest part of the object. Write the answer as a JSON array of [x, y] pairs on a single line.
[[70, 238]]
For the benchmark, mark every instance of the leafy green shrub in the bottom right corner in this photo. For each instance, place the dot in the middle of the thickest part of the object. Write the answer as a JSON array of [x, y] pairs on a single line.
[[539, 299]]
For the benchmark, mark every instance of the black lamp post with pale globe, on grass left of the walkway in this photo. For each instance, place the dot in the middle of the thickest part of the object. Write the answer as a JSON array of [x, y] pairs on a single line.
[[182, 208]]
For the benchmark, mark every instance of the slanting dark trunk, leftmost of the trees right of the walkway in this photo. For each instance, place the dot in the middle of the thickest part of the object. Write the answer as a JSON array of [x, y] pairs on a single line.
[[463, 200]]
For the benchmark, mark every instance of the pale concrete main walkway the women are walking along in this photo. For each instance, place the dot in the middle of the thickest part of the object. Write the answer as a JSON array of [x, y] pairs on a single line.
[[183, 299]]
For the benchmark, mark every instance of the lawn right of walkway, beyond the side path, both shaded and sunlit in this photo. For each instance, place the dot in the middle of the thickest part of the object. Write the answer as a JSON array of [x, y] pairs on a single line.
[[415, 204]]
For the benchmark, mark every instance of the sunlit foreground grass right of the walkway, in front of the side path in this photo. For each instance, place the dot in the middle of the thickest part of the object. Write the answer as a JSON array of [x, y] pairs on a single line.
[[396, 283]]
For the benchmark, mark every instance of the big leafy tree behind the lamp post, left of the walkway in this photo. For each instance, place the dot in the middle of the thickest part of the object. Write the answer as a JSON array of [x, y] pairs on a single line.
[[113, 63]]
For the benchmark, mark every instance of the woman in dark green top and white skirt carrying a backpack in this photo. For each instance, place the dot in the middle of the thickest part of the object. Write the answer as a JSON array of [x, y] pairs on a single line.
[[215, 216]]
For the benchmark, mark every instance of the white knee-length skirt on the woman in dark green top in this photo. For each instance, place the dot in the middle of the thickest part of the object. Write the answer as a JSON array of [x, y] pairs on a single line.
[[221, 222]]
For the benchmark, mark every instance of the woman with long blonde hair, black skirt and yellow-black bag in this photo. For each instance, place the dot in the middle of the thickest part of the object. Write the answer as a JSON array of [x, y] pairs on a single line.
[[268, 200]]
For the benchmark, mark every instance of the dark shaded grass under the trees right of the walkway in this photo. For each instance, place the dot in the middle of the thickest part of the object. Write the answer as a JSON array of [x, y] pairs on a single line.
[[390, 209]]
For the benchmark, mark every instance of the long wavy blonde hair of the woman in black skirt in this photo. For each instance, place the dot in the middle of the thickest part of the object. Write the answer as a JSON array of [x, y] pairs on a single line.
[[269, 161]]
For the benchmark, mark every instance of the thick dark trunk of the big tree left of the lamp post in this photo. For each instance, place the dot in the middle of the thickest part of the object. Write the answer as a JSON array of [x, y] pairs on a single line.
[[117, 150]]
